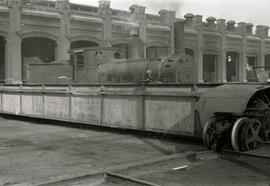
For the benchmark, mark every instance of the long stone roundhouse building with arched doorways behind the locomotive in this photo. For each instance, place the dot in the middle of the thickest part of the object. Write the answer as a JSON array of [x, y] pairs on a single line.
[[35, 32]]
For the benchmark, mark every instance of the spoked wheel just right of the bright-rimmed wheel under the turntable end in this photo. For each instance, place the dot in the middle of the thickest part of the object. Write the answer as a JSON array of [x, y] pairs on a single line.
[[249, 135]]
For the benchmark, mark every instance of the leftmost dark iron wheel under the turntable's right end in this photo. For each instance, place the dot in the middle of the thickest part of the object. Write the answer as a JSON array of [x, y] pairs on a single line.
[[209, 134]]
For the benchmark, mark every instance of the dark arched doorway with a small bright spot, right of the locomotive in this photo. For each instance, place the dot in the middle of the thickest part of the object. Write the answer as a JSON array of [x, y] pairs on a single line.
[[232, 66]]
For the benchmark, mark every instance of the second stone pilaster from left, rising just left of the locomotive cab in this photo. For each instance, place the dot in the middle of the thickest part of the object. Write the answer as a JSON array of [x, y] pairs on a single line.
[[64, 40]]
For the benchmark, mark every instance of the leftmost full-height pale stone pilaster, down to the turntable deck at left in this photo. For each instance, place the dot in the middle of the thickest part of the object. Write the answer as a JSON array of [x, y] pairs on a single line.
[[13, 66]]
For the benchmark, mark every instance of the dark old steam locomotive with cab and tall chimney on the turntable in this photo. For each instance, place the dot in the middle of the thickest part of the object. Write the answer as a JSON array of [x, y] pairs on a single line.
[[110, 65]]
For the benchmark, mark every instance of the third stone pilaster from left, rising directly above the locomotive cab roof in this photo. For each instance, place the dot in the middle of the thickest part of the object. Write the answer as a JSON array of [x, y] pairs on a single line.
[[106, 14]]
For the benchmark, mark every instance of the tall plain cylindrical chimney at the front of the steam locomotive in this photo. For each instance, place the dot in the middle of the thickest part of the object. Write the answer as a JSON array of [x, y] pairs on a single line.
[[179, 37]]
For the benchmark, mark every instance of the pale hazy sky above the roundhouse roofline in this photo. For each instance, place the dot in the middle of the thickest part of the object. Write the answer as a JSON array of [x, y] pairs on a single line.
[[254, 11]]
